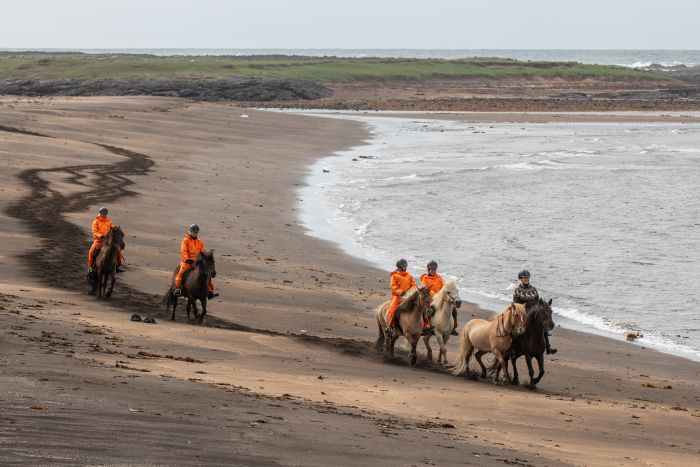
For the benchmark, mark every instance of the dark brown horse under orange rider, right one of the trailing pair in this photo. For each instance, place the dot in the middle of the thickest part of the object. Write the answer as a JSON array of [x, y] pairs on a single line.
[[195, 286]]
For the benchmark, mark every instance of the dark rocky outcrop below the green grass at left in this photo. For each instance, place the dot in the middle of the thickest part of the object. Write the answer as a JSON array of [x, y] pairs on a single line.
[[267, 89]]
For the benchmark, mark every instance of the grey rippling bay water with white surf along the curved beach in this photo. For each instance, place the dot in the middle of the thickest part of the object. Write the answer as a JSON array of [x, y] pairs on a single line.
[[606, 216]]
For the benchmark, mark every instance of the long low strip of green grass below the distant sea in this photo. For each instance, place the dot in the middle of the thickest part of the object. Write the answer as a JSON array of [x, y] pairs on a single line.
[[51, 66]]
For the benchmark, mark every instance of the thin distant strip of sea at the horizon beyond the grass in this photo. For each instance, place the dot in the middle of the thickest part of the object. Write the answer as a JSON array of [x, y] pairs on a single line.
[[627, 58]]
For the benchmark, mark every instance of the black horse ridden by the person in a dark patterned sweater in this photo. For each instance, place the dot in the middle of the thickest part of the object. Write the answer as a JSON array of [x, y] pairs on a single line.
[[531, 343]]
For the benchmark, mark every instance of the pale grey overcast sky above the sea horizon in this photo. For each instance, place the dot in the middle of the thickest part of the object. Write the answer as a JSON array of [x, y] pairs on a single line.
[[439, 24]]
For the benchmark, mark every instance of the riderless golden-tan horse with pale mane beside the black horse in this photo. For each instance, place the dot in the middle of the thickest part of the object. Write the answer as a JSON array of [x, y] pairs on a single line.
[[495, 336]]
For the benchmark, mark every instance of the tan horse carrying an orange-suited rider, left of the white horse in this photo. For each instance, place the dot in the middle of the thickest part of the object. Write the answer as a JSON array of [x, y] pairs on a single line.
[[408, 319]]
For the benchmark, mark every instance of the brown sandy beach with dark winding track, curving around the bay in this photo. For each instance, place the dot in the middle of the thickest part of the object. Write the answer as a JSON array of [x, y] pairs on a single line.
[[283, 372]]
